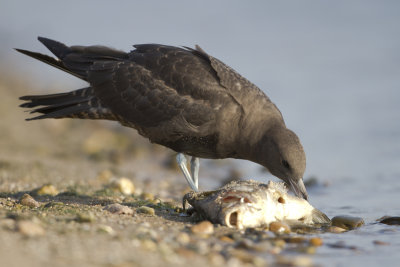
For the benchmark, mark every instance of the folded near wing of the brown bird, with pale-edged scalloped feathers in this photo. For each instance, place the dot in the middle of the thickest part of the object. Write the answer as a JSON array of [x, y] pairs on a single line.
[[140, 99]]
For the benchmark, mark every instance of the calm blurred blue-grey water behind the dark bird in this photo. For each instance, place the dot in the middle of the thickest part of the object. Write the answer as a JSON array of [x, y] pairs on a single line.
[[332, 67]]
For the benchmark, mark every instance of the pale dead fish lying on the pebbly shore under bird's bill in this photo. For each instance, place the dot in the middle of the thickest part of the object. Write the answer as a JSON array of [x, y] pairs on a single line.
[[243, 204]]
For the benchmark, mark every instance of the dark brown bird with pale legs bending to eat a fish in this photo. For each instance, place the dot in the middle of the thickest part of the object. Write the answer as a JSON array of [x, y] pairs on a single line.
[[178, 97]]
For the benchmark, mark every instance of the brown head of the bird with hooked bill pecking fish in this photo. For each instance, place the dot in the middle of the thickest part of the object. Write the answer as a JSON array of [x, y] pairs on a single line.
[[283, 155]]
